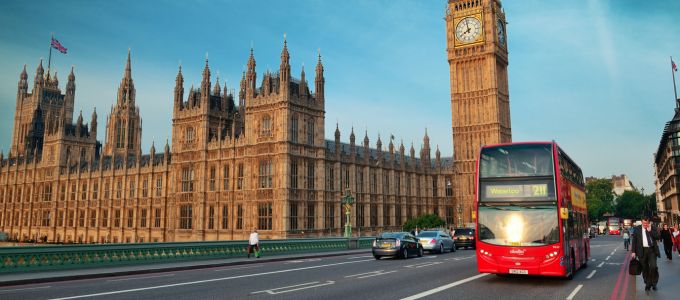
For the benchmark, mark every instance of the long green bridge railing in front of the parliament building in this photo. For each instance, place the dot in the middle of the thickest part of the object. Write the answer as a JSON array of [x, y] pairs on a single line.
[[38, 258]]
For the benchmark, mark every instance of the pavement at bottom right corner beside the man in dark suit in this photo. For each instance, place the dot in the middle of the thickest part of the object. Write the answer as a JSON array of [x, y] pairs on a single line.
[[669, 274]]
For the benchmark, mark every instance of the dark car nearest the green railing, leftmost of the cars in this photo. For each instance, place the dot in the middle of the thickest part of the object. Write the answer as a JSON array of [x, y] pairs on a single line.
[[396, 244]]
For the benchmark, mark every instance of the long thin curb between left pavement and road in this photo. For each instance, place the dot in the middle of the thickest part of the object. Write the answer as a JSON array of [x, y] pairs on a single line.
[[163, 269]]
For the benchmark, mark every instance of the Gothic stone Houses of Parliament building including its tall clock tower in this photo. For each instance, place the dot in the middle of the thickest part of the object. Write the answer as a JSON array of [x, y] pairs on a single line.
[[258, 159]]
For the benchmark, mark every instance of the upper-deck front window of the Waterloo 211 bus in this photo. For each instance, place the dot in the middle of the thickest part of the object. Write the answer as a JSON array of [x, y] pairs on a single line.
[[516, 161]]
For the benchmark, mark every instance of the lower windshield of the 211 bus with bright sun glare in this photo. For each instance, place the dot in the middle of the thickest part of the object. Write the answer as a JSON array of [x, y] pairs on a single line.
[[519, 224]]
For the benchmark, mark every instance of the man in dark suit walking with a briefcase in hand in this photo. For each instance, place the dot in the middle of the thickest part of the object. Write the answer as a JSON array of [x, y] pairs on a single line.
[[646, 249]]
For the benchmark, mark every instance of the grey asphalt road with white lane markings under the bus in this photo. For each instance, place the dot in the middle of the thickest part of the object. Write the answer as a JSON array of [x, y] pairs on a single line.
[[434, 276]]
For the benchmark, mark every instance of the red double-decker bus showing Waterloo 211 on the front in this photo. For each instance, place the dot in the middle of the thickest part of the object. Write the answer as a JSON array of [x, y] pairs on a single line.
[[531, 211]]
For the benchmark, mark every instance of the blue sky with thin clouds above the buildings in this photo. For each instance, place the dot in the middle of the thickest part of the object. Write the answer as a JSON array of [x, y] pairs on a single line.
[[592, 75]]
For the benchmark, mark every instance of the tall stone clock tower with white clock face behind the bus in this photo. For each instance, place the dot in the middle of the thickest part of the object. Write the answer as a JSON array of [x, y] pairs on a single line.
[[480, 106]]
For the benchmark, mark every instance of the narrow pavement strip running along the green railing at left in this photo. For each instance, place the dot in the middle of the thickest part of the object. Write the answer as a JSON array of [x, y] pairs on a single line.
[[22, 278]]
